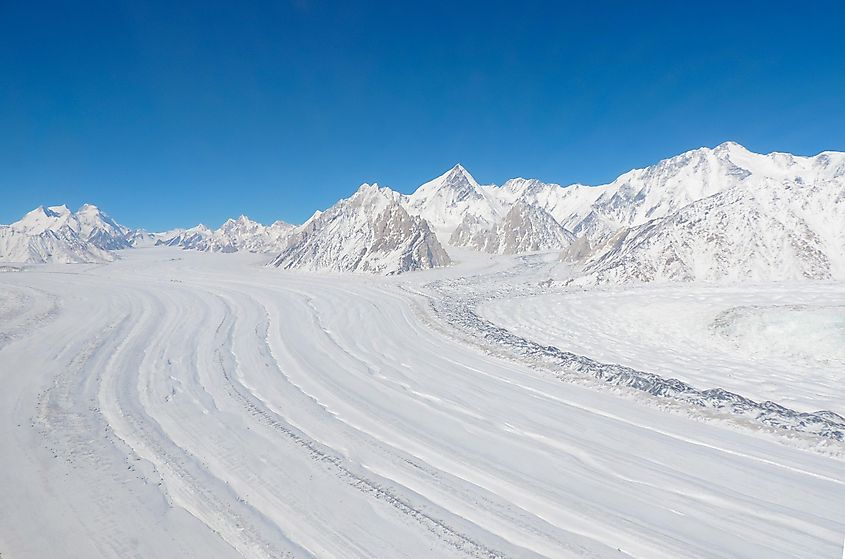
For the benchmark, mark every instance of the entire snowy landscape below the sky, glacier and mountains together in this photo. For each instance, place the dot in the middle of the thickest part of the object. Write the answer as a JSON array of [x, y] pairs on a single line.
[[647, 368]]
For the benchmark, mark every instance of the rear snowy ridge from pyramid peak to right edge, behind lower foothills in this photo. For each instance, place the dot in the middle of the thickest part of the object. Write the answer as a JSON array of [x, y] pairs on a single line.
[[599, 212]]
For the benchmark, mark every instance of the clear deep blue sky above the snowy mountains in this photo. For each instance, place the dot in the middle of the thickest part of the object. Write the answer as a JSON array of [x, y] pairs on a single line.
[[173, 113]]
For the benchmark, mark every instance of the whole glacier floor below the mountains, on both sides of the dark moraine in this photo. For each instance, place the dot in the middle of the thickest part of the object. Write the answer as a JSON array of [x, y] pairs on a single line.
[[179, 404]]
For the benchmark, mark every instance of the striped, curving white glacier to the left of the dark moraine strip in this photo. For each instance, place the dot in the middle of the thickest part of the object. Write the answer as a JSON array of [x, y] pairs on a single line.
[[175, 404]]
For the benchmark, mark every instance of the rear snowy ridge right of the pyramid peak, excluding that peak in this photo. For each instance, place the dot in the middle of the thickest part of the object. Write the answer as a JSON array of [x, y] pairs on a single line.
[[641, 195]]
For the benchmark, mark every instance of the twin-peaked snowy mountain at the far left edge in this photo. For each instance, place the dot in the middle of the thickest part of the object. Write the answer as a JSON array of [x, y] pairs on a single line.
[[56, 234]]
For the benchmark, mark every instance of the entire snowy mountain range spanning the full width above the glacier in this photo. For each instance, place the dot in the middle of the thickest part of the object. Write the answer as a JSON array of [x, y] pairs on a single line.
[[711, 214]]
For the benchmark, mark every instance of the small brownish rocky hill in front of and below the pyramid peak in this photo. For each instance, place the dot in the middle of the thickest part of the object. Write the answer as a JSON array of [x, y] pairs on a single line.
[[525, 228]]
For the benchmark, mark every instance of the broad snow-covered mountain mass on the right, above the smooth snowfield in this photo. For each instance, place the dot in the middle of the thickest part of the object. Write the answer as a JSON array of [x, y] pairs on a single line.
[[725, 215]]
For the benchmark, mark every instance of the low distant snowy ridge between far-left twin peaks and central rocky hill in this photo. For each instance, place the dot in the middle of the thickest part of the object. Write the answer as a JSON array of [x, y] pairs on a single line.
[[234, 235]]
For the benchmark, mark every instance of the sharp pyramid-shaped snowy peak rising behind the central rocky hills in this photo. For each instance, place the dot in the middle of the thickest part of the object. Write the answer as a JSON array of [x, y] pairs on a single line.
[[444, 201]]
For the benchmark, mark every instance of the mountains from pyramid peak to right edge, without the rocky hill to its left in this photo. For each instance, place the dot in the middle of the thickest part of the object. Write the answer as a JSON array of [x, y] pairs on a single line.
[[715, 214]]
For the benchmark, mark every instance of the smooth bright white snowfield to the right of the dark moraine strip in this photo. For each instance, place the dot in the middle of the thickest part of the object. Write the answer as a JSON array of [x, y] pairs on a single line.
[[779, 342]]
